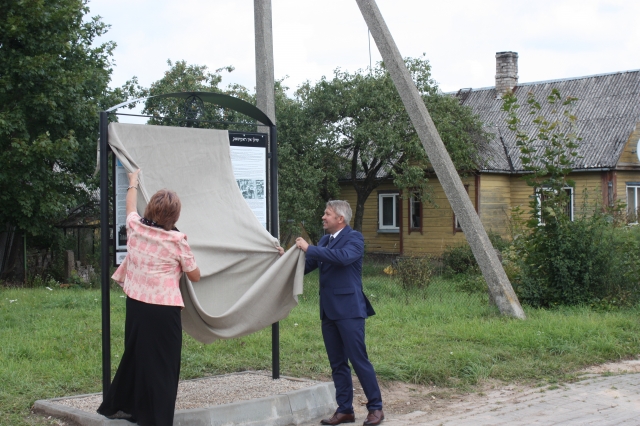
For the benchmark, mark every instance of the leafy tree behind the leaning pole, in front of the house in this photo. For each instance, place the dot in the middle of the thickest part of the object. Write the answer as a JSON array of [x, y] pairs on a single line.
[[364, 129]]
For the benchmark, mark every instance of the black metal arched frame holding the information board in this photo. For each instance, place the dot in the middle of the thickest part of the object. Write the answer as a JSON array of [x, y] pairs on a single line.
[[218, 99]]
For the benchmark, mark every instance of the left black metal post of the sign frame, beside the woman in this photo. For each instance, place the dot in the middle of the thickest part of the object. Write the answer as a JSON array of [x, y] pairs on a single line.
[[104, 255]]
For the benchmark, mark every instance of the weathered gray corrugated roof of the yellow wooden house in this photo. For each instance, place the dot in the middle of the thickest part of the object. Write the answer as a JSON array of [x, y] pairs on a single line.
[[607, 110]]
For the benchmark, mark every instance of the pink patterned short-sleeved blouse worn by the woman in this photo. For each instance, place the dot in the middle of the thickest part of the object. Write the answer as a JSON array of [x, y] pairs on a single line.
[[154, 264]]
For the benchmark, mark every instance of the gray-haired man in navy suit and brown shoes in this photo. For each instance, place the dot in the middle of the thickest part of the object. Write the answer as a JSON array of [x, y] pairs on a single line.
[[343, 310]]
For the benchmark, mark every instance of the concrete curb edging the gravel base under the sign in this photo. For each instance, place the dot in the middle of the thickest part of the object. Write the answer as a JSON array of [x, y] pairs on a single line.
[[290, 408]]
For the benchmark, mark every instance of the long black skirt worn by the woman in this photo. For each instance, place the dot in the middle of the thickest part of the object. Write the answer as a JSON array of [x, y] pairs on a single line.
[[146, 383]]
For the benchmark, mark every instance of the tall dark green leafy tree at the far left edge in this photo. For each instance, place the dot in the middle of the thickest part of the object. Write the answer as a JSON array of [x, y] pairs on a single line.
[[52, 82]]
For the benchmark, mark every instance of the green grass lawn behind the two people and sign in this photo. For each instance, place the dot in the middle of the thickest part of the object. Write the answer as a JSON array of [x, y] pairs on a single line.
[[50, 341]]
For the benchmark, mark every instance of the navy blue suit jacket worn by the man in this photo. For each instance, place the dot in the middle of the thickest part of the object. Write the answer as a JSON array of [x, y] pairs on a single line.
[[340, 264]]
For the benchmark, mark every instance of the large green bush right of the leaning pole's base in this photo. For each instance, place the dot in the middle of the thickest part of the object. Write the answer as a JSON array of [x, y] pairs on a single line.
[[586, 261]]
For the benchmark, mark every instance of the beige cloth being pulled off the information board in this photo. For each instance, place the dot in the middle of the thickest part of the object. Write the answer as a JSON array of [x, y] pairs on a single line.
[[245, 284]]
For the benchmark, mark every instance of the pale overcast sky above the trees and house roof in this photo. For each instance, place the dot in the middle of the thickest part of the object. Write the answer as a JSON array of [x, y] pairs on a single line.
[[554, 38]]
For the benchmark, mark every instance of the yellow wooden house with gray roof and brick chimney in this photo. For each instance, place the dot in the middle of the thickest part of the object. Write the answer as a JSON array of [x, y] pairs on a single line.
[[606, 172]]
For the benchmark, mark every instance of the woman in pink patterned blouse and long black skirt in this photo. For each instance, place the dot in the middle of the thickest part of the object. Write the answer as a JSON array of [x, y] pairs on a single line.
[[145, 386]]
